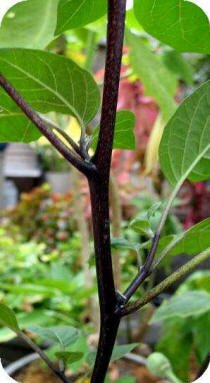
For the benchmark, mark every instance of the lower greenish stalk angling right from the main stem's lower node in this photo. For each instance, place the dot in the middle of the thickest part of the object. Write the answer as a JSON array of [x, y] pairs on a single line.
[[180, 273]]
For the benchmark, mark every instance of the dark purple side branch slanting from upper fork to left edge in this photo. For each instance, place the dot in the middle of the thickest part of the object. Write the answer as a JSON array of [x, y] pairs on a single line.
[[85, 167]]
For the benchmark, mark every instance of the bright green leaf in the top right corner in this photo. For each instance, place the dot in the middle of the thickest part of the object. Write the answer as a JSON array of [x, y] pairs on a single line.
[[178, 23]]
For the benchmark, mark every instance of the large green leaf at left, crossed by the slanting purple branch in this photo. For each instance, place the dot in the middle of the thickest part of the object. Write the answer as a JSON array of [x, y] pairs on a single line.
[[48, 82]]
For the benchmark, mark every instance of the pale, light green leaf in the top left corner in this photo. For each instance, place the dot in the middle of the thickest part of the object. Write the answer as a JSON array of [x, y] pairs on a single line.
[[29, 24]]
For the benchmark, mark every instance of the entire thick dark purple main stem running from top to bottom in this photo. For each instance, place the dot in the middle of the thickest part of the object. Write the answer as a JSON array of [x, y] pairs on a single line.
[[99, 190]]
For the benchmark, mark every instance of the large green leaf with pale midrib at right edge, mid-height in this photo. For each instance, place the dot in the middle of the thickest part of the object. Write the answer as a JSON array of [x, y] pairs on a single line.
[[185, 146]]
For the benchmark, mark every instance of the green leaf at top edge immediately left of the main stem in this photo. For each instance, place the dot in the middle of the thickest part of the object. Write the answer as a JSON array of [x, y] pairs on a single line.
[[77, 13]]
